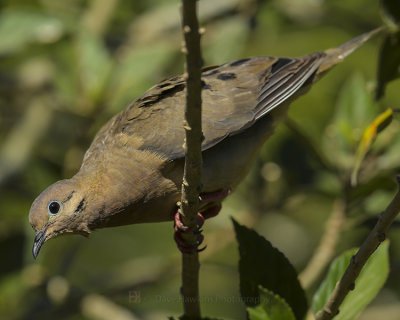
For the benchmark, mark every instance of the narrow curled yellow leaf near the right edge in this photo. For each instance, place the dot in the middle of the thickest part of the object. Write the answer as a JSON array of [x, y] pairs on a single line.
[[368, 137]]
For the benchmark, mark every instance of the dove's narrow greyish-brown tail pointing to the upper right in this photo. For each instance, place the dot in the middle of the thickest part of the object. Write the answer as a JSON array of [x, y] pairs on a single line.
[[336, 55]]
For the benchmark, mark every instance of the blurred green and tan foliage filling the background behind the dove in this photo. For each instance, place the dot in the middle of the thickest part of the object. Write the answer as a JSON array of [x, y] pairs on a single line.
[[67, 66]]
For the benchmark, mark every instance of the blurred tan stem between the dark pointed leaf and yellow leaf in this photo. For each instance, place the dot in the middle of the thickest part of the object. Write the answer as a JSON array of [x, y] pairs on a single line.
[[326, 248]]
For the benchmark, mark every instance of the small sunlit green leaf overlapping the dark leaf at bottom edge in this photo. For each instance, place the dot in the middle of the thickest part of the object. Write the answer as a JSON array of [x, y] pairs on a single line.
[[272, 307]]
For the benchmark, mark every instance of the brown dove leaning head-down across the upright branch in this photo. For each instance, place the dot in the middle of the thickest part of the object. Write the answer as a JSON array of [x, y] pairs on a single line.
[[132, 171]]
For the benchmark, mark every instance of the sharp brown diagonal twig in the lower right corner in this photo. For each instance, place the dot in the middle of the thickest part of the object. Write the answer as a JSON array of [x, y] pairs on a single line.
[[370, 244]]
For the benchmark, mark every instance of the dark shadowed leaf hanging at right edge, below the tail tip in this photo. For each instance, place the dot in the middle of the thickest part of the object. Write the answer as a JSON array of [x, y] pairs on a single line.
[[388, 62]]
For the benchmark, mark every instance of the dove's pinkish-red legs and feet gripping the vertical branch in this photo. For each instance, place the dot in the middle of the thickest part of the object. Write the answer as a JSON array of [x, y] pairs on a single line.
[[212, 198]]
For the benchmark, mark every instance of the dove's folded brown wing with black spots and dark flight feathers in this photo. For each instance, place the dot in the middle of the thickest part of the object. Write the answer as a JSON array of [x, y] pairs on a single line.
[[234, 96]]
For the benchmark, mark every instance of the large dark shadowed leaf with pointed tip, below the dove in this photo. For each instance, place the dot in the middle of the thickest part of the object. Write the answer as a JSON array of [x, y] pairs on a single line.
[[262, 264]]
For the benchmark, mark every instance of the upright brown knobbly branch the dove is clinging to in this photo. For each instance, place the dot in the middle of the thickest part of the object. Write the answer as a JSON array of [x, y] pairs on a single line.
[[191, 185]]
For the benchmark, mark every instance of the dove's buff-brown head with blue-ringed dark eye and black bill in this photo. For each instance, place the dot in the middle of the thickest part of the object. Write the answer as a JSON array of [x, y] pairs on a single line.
[[58, 209]]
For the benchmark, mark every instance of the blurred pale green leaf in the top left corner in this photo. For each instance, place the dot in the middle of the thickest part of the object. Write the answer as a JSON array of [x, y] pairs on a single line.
[[19, 28]]
